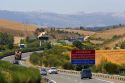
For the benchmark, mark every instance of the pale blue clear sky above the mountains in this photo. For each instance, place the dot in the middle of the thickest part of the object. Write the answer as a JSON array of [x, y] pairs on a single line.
[[64, 6]]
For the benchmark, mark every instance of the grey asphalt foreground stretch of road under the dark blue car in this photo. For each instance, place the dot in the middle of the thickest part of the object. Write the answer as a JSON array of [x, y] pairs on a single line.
[[63, 78]]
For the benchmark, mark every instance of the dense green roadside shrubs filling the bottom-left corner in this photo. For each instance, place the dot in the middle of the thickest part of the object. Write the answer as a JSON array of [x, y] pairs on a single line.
[[10, 73]]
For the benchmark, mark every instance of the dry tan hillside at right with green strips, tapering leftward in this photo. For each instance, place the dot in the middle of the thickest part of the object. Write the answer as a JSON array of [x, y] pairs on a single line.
[[107, 38]]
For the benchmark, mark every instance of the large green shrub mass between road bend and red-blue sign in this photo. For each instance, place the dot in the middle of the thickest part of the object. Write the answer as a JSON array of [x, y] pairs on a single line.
[[52, 57]]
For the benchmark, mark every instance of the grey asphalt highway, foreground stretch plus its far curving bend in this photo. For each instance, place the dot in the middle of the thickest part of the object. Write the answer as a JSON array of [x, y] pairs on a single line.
[[65, 78]]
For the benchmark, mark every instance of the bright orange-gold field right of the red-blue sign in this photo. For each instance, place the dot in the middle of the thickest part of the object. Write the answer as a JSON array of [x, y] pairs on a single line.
[[115, 56]]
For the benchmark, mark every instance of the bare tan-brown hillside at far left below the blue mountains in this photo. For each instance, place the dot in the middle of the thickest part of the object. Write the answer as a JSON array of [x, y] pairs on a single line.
[[15, 28]]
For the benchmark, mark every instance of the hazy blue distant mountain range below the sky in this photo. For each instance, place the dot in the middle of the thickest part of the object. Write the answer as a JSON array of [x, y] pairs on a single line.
[[65, 20]]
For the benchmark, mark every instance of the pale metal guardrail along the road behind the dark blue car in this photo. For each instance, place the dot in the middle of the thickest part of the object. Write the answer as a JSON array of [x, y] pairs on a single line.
[[115, 77]]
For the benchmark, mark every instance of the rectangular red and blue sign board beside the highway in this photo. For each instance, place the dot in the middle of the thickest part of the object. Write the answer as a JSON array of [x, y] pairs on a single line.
[[83, 57]]
